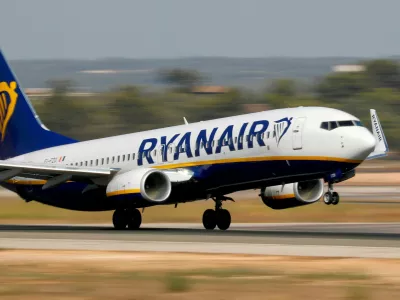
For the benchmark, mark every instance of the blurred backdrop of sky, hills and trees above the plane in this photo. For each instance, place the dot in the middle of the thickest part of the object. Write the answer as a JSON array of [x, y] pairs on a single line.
[[100, 68]]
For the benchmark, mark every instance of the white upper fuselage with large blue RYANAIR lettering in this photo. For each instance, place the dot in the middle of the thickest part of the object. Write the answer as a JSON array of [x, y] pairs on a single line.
[[303, 139]]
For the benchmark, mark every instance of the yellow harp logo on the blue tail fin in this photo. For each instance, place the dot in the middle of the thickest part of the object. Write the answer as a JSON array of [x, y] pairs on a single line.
[[8, 100]]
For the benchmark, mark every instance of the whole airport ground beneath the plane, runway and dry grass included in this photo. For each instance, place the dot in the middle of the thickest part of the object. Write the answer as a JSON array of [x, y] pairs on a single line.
[[262, 257]]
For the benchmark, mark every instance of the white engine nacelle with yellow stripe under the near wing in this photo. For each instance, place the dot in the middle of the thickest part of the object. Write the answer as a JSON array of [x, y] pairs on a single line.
[[151, 184]]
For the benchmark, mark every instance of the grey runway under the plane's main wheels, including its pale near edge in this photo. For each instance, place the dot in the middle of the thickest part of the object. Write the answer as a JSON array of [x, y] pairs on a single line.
[[372, 240]]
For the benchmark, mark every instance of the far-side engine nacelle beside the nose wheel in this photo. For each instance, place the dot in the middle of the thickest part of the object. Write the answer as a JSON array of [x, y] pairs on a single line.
[[293, 194]]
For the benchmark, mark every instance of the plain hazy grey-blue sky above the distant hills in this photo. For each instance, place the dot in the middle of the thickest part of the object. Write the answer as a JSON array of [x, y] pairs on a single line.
[[91, 29]]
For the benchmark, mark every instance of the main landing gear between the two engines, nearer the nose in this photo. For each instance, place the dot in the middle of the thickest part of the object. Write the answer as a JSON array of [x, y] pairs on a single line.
[[219, 217]]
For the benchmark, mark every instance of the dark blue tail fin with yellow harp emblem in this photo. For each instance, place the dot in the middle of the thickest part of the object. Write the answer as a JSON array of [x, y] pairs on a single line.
[[21, 130]]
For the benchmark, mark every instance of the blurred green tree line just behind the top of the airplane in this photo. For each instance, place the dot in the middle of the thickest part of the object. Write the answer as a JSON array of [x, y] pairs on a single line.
[[126, 109]]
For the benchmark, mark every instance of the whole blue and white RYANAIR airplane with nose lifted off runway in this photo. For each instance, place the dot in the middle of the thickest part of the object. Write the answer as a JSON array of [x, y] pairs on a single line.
[[288, 154]]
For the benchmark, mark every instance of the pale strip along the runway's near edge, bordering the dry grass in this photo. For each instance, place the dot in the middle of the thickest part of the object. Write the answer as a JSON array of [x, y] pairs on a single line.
[[202, 247]]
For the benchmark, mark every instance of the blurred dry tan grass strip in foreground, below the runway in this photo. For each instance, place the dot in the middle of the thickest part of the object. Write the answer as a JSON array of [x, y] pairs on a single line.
[[135, 275]]
